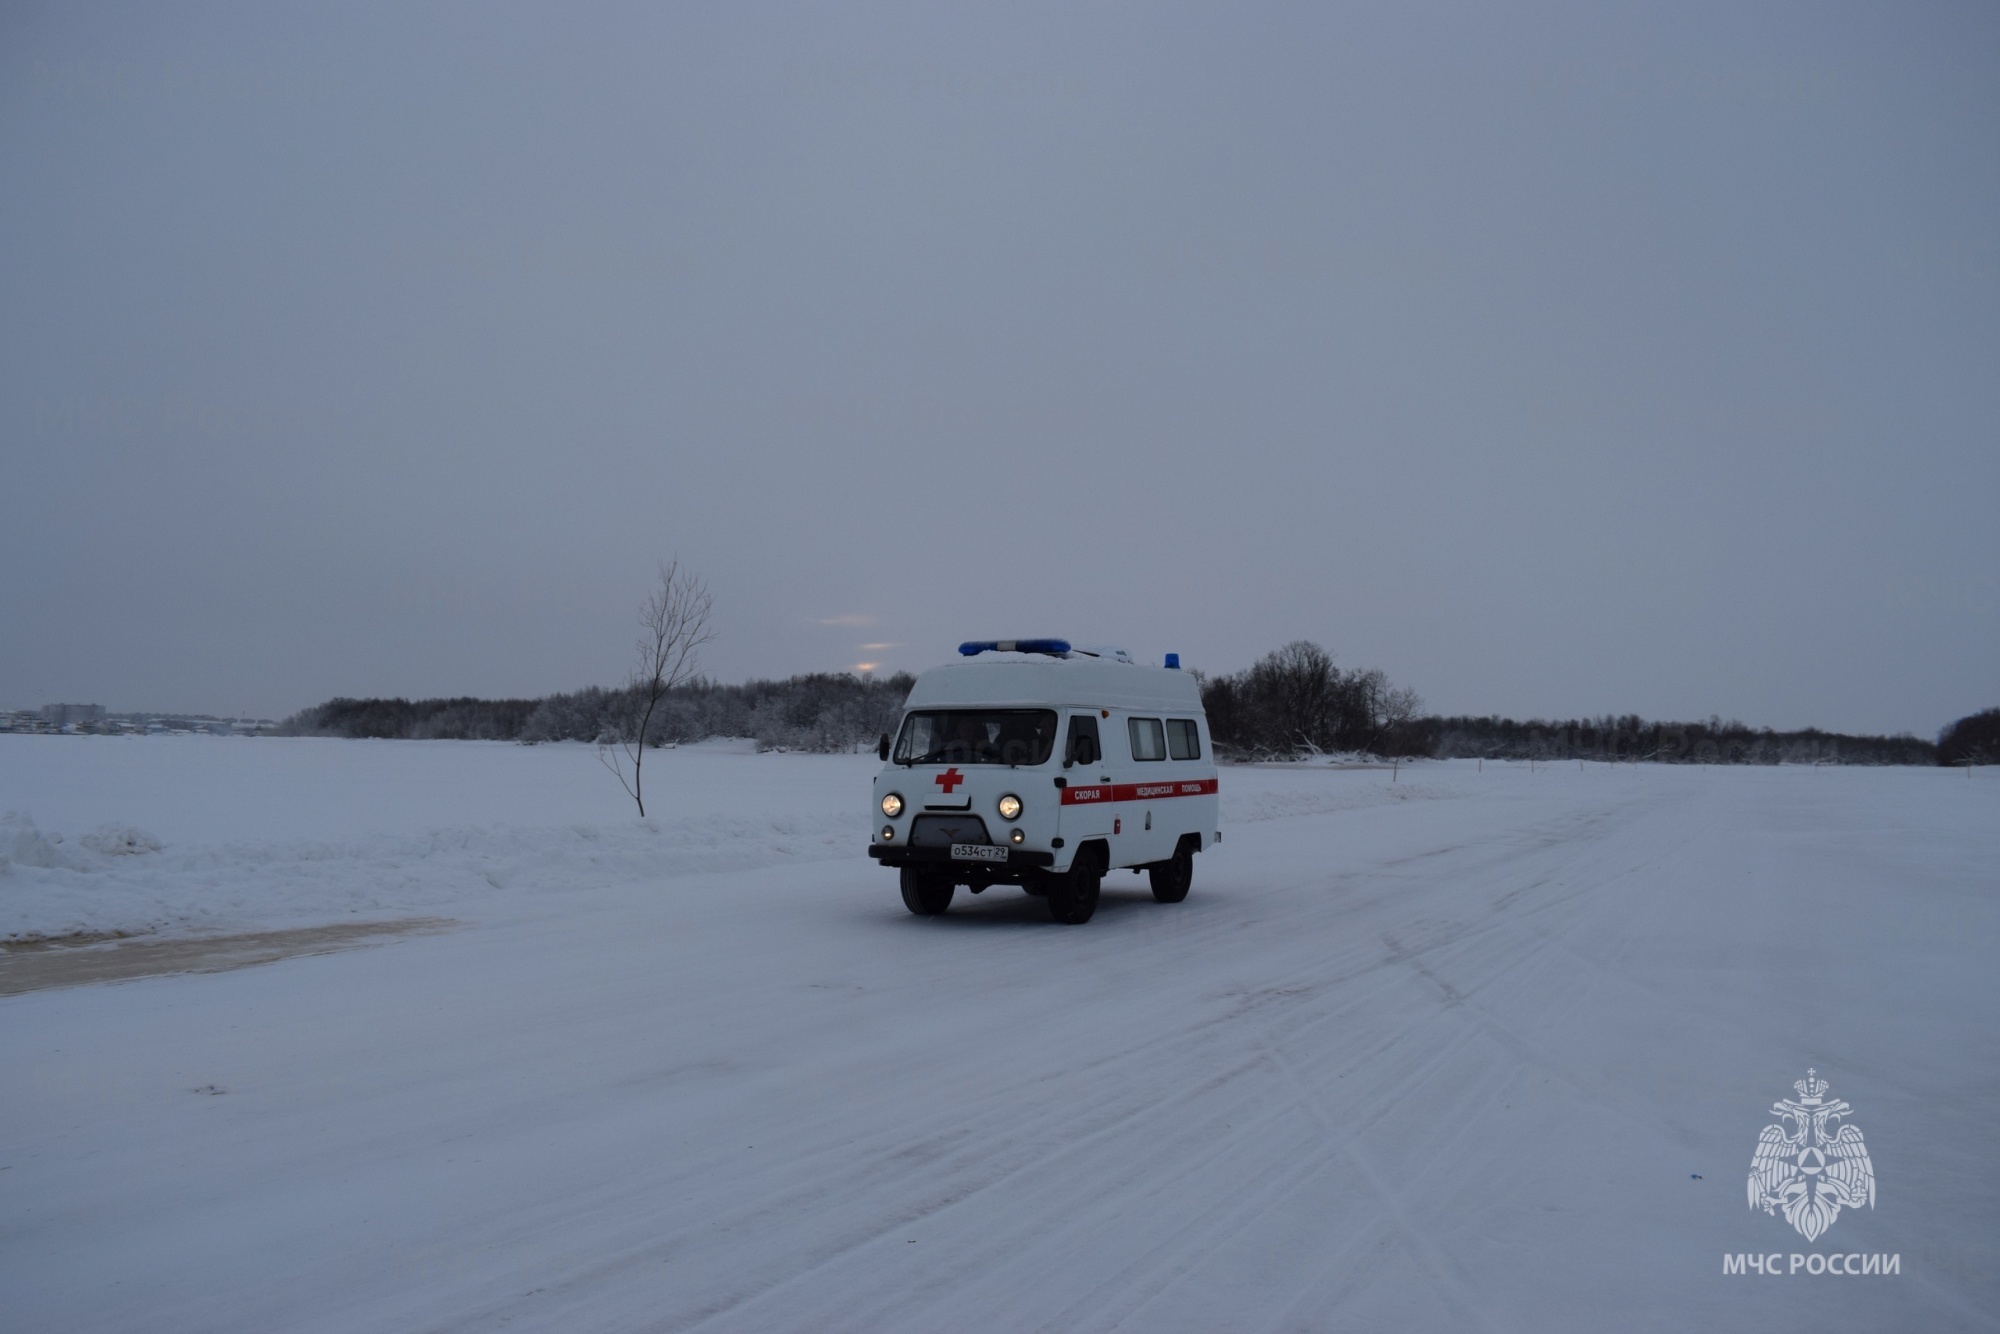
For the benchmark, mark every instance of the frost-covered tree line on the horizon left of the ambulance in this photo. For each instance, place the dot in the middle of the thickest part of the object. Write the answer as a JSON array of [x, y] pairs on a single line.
[[823, 713]]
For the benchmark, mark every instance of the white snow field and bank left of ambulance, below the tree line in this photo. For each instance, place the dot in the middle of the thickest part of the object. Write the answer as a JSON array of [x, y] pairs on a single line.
[[203, 835]]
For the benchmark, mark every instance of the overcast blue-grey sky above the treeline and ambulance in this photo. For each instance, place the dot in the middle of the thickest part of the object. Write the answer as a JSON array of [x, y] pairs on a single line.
[[1555, 361]]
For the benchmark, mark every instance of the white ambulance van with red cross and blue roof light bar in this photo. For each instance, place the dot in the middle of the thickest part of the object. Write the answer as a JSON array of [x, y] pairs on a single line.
[[1041, 765]]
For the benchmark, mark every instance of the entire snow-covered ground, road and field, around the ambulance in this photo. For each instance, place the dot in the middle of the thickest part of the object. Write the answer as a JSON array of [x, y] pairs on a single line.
[[1467, 1051]]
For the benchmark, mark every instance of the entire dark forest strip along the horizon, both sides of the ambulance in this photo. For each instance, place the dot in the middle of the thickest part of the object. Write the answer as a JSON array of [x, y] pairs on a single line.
[[1295, 703]]
